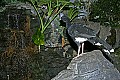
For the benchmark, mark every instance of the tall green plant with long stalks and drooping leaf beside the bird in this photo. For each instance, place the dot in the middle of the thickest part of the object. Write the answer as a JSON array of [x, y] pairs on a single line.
[[50, 14]]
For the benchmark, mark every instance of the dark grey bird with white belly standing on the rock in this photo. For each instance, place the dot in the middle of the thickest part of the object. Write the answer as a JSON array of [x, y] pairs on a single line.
[[80, 33]]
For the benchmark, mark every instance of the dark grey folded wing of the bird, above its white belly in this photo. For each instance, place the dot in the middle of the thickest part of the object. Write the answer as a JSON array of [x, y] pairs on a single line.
[[78, 30]]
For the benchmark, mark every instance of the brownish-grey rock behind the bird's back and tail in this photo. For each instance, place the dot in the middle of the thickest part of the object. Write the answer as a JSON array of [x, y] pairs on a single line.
[[111, 35]]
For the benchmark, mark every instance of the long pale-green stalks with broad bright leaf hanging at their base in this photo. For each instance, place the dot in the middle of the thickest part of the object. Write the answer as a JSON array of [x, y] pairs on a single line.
[[38, 37]]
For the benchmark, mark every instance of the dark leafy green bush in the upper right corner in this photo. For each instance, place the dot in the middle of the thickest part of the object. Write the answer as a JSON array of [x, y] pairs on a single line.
[[108, 12]]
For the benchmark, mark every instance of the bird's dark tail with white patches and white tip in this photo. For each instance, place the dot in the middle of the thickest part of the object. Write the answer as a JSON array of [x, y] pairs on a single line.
[[100, 42]]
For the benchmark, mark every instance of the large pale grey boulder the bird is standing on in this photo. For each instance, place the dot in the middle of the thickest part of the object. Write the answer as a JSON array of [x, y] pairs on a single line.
[[90, 66]]
